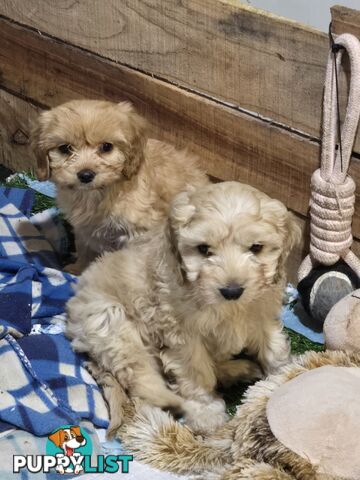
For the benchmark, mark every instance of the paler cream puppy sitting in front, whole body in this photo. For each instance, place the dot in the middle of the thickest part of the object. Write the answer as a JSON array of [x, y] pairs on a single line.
[[167, 315]]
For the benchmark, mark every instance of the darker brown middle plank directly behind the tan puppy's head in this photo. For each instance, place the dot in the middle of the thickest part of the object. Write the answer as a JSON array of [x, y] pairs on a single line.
[[231, 145]]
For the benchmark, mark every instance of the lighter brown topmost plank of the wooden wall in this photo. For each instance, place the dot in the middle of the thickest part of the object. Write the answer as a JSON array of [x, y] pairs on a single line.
[[237, 54]]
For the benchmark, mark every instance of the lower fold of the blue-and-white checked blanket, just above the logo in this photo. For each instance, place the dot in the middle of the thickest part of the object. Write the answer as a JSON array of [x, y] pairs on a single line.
[[45, 386]]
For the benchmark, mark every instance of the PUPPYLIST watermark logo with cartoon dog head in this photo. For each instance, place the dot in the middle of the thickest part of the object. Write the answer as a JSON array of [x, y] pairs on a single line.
[[69, 450]]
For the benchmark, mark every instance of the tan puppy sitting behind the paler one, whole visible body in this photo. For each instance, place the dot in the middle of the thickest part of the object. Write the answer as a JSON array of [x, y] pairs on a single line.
[[112, 182]]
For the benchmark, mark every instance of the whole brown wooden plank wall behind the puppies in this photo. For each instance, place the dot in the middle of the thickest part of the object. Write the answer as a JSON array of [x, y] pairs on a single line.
[[241, 88]]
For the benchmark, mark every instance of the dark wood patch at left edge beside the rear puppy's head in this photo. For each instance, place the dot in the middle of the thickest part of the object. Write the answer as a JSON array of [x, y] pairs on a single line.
[[16, 116]]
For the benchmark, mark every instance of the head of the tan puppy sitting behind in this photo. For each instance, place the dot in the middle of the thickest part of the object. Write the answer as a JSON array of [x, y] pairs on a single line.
[[89, 144]]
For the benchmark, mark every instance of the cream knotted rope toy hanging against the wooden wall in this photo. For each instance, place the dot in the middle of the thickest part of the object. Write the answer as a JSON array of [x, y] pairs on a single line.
[[332, 189]]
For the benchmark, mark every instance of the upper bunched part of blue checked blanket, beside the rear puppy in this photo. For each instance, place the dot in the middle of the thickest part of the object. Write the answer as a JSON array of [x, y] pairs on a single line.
[[31, 286]]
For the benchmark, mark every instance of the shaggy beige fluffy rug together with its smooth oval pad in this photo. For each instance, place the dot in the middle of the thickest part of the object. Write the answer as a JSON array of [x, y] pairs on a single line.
[[246, 447]]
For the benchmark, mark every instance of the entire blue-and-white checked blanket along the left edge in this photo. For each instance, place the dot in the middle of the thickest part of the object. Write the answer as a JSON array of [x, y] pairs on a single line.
[[43, 384]]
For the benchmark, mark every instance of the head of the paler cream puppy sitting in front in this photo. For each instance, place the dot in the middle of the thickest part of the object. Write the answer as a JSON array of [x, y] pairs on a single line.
[[232, 240]]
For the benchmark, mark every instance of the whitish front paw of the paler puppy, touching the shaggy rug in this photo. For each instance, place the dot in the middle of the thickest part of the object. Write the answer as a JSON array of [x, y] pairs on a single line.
[[205, 419]]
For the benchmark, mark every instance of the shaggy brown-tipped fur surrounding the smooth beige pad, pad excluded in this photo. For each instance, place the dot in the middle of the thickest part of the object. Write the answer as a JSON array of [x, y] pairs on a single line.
[[245, 448]]
